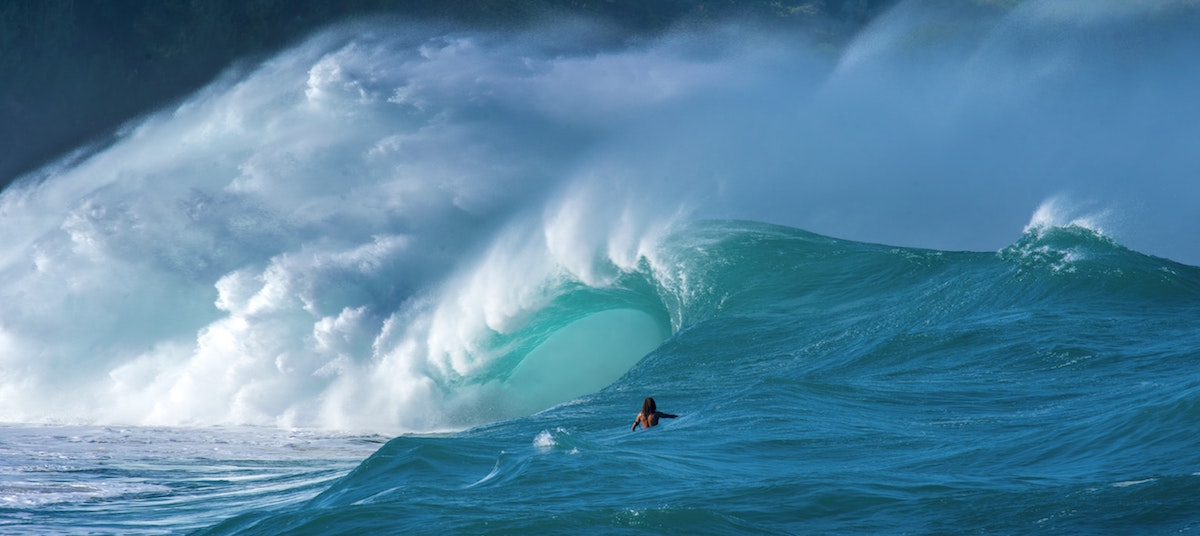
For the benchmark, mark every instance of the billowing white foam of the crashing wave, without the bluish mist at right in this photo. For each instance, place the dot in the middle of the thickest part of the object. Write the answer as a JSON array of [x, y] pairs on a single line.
[[328, 242]]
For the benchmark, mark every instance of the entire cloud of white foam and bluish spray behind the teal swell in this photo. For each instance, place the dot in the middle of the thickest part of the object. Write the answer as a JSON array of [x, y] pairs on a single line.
[[334, 239]]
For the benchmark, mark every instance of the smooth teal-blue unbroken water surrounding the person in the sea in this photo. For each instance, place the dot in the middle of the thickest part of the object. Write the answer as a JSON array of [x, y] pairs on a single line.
[[841, 388]]
